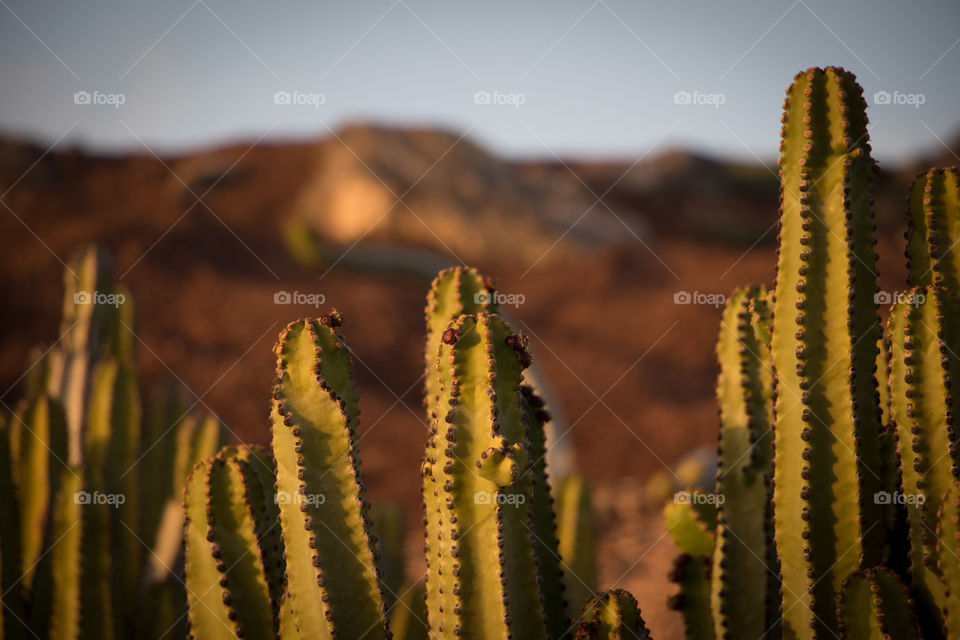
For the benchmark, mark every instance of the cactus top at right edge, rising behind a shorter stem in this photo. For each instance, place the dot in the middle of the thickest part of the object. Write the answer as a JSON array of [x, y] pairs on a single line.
[[933, 229]]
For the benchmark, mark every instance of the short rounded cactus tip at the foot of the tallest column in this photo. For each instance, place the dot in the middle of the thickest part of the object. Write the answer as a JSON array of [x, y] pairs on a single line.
[[874, 605]]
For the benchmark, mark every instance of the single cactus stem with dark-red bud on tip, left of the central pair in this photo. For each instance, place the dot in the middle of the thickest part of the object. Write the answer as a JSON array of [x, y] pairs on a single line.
[[320, 488]]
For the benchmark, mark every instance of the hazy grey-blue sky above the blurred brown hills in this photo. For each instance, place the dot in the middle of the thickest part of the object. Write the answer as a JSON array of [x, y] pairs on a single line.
[[593, 79]]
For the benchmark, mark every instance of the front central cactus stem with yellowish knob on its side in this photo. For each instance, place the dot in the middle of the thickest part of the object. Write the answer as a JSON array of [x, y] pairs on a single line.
[[482, 578]]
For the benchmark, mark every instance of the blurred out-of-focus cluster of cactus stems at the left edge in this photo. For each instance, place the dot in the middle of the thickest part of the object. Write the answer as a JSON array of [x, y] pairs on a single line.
[[90, 522]]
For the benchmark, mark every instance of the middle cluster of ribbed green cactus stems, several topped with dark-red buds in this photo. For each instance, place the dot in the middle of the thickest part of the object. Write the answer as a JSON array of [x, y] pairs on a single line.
[[284, 544]]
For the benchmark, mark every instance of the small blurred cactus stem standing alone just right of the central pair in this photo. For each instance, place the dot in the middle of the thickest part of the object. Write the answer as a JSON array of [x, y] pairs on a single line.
[[575, 529]]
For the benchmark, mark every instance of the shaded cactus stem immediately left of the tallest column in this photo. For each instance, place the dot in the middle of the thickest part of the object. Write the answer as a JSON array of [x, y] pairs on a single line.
[[744, 584]]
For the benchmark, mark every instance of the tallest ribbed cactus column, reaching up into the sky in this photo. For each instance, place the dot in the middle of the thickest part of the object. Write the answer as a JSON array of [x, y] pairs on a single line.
[[824, 344]]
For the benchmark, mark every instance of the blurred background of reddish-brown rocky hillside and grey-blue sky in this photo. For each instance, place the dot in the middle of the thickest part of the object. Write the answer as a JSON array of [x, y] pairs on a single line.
[[612, 164]]
